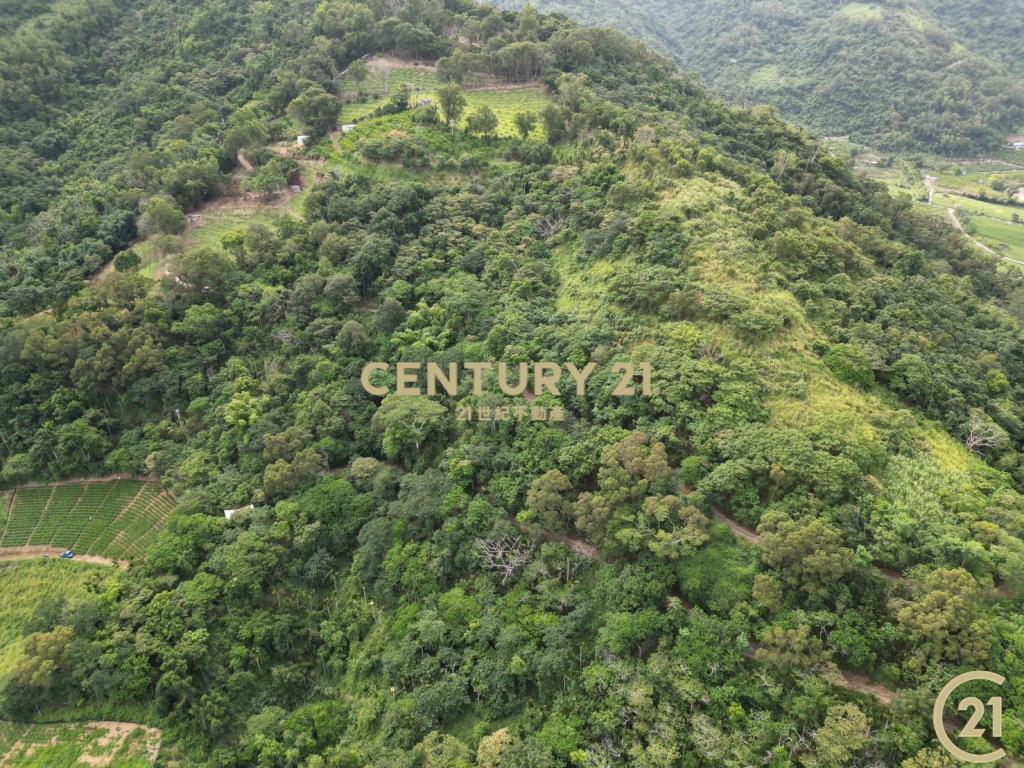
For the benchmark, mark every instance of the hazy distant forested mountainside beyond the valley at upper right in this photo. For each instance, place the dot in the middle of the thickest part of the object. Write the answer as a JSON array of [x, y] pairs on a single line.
[[938, 76]]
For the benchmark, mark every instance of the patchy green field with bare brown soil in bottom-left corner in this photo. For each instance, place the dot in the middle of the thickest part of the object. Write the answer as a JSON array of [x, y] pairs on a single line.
[[105, 745]]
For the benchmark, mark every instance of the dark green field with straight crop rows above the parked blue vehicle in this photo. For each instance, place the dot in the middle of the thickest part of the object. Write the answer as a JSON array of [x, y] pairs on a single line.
[[111, 519]]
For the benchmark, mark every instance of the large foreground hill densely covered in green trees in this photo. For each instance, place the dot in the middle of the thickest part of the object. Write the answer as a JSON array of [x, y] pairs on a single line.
[[777, 559]]
